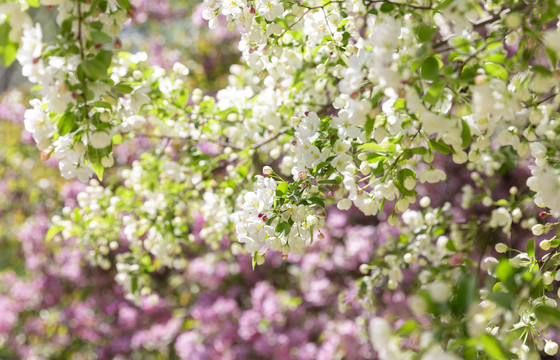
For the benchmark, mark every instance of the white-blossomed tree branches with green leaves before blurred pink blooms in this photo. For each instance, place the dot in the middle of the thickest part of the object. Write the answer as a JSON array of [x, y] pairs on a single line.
[[438, 118]]
